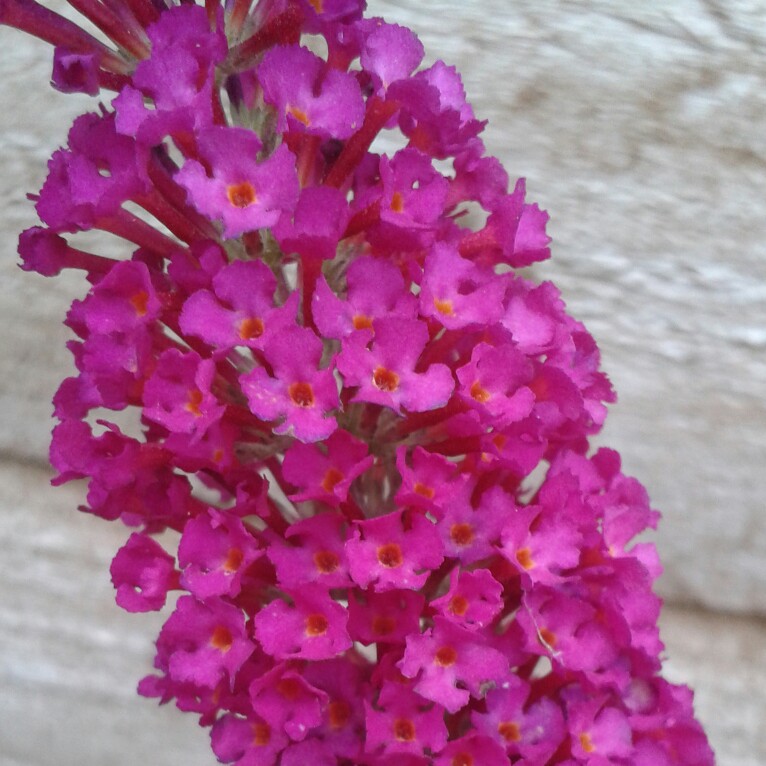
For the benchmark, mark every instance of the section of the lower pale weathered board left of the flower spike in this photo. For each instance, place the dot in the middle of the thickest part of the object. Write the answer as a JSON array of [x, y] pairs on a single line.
[[69, 657]]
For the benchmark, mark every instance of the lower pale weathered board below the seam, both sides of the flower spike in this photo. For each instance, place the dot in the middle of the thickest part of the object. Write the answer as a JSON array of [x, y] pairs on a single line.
[[70, 659]]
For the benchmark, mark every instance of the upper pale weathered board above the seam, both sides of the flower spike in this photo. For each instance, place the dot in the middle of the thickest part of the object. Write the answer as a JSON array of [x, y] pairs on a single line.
[[640, 128]]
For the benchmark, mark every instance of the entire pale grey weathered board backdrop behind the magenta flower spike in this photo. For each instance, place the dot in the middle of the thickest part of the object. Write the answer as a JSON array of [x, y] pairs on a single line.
[[641, 128]]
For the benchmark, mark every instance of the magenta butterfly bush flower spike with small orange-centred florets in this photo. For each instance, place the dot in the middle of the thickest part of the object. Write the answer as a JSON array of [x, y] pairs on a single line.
[[360, 442]]
